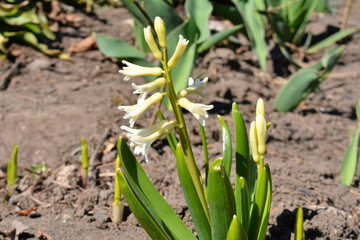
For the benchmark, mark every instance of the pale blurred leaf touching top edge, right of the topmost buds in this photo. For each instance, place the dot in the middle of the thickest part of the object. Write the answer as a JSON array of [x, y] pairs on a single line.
[[200, 11]]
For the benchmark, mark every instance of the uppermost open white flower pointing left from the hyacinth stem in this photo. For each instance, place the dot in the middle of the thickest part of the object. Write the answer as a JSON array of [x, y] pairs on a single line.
[[133, 70]]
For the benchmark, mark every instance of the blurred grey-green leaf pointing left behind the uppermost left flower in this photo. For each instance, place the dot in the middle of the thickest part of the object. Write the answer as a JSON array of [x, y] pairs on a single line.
[[113, 47]]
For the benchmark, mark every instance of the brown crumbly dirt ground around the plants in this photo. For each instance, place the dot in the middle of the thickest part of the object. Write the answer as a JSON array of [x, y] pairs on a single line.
[[50, 104]]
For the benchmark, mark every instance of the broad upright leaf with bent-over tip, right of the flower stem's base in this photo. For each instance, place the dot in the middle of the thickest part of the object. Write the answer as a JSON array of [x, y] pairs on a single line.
[[221, 200]]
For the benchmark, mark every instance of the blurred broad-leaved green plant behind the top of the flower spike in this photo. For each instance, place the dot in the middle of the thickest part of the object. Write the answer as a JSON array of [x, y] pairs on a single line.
[[194, 25]]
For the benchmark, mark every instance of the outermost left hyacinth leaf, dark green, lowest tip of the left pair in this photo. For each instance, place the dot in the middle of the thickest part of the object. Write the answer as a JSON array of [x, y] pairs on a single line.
[[141, 212]]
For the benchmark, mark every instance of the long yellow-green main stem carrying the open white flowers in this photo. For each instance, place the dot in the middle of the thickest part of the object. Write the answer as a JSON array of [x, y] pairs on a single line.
[[184, 137]]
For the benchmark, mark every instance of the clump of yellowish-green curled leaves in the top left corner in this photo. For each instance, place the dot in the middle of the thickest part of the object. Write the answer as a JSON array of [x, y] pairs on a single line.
[[24, 22]]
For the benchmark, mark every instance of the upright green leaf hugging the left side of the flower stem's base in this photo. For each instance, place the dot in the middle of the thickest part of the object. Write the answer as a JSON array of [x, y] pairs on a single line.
[[199, 217]]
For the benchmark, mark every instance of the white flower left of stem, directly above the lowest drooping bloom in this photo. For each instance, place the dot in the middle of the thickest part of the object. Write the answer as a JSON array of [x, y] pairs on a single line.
[[134, 111]]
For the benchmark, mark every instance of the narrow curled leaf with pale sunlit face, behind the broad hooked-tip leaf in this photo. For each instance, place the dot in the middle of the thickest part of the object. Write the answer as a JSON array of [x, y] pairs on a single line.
[[227, 145]]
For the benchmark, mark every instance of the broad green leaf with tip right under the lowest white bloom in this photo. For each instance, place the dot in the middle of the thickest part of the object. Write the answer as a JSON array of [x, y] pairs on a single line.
[[149, 196]]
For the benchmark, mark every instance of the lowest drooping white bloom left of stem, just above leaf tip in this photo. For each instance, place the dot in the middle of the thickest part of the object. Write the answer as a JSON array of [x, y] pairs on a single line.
[[142, 139]]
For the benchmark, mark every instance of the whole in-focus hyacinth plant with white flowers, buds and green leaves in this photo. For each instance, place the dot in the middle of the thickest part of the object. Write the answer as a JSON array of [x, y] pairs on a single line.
[[218, 210]]
